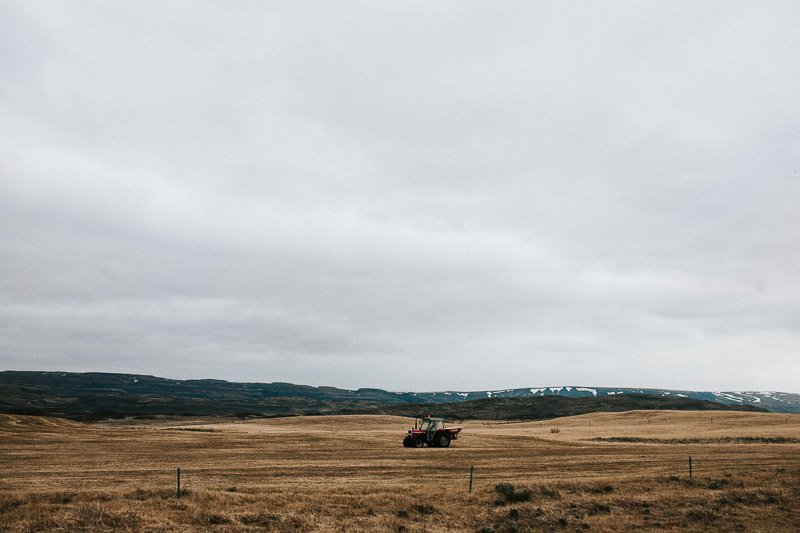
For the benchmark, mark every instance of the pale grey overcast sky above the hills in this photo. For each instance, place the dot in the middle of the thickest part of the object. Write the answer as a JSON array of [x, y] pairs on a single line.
[[404, 195]]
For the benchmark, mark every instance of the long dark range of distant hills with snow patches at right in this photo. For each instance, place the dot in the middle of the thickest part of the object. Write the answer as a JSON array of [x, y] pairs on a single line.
[[91, 396]]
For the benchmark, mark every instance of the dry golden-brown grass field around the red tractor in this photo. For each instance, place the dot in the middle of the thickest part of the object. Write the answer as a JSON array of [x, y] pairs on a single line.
[[599, 472]]
